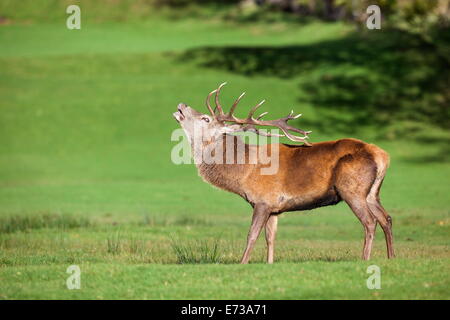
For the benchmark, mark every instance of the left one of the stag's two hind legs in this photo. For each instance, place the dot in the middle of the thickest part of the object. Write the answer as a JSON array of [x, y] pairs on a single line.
[[362, 212]]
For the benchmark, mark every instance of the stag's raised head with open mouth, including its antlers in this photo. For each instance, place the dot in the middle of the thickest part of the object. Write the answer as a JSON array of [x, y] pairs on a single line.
[[212, 126]]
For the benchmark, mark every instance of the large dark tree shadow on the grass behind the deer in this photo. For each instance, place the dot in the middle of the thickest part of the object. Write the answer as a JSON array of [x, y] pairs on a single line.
[[394, 82]]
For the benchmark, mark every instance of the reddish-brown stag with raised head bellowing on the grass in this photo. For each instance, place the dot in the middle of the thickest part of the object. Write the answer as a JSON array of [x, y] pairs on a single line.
[[309, 175]]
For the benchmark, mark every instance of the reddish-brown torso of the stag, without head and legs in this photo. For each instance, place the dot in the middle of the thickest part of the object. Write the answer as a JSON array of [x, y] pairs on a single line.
[[308, 177]]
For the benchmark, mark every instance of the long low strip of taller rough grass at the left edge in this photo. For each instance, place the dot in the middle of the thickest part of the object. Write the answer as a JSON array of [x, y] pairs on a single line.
[[10, 224]]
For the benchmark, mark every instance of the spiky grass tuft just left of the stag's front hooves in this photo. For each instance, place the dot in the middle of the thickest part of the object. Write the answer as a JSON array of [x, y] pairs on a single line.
[[195, 252]]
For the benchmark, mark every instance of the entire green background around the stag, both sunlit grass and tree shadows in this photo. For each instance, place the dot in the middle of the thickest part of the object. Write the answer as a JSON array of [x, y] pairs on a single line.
[[86, 176]]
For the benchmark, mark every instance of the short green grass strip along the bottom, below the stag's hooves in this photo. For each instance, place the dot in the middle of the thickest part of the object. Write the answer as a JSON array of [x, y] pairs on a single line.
[[309, 280]]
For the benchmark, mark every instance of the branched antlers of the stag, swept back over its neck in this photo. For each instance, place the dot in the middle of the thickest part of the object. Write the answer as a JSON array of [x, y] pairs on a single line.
[[250, 123]]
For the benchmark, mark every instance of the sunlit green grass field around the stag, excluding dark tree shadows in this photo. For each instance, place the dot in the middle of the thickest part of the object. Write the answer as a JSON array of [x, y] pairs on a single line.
[[86, 176]]
